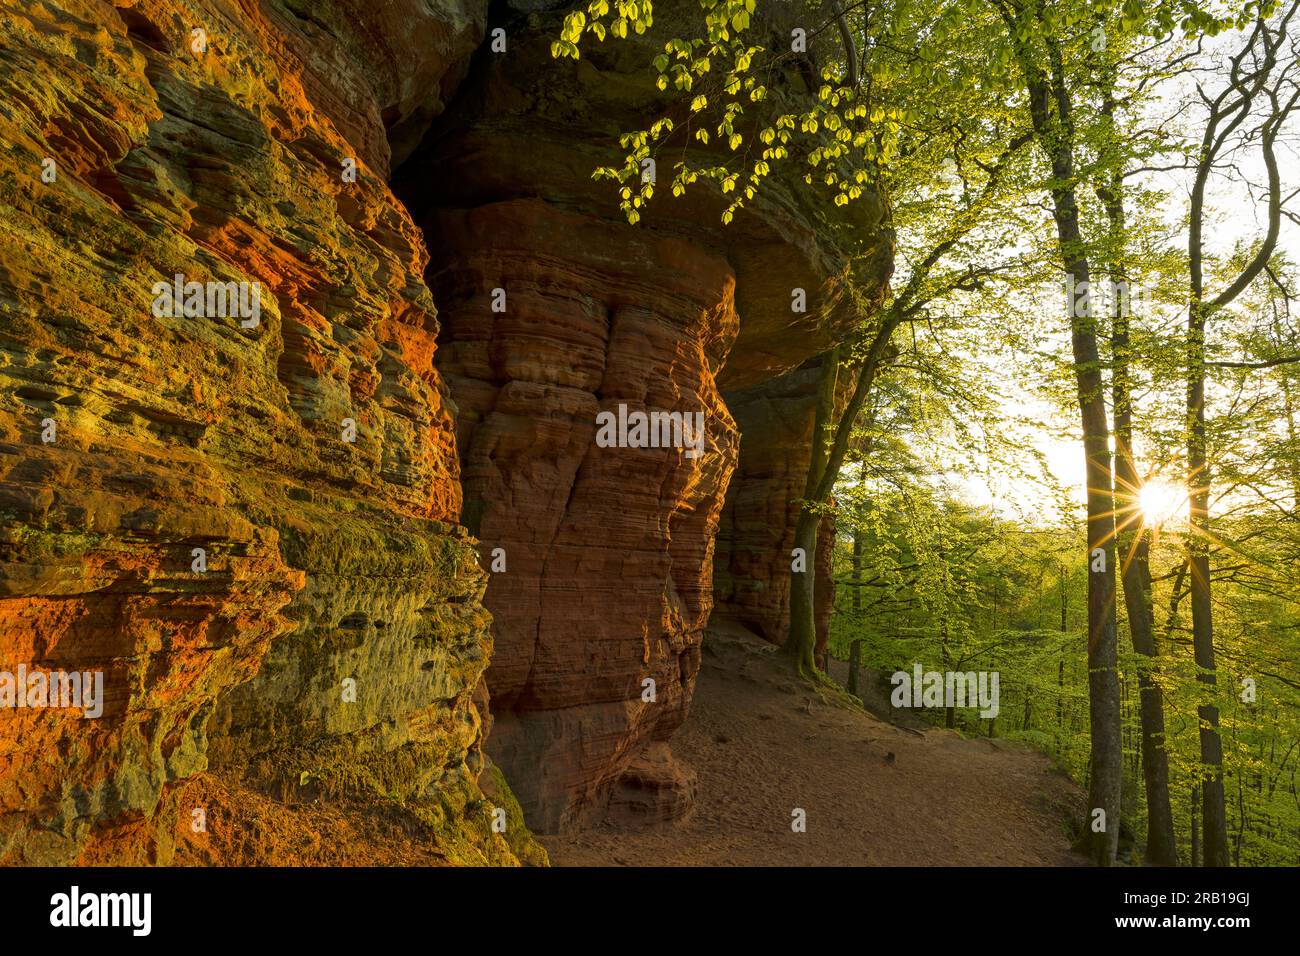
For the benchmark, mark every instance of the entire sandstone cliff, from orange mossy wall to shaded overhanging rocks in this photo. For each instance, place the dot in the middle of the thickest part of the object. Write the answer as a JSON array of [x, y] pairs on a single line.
[[274, 537]]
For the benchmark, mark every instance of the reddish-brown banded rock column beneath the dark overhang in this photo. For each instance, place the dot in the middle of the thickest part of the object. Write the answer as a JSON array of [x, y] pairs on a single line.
[[603, 581]]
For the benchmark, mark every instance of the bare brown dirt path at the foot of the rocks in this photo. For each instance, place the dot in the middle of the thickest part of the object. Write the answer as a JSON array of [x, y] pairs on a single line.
[[764, 743]]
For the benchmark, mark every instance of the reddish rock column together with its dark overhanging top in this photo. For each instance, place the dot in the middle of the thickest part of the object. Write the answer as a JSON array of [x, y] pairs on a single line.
[[553, 312]]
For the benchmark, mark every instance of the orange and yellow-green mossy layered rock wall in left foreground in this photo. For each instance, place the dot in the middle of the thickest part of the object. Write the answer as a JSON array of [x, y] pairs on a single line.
[[249, 524]]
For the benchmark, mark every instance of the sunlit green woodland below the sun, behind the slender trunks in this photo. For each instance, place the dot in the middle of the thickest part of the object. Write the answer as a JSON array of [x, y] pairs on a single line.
[[957, 589]]
